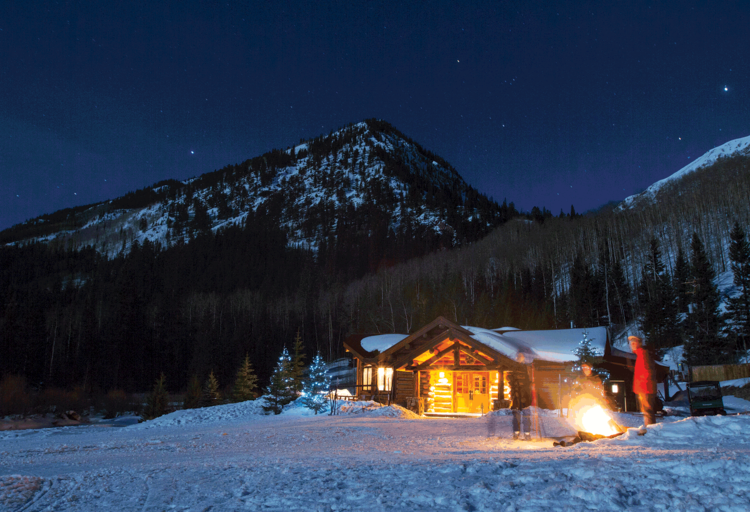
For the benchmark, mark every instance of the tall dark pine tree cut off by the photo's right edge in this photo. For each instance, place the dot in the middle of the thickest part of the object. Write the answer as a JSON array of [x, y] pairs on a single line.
[[739, 306]]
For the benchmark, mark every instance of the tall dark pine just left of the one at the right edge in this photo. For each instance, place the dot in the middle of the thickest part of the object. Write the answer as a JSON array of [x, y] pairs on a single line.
[[705, 345]]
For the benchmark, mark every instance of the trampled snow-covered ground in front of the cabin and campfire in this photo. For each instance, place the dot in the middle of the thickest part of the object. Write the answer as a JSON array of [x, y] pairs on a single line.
[[370, 458]]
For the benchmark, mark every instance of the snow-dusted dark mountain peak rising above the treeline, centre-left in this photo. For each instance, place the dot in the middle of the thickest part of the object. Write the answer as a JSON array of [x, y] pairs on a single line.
[[361, 175]]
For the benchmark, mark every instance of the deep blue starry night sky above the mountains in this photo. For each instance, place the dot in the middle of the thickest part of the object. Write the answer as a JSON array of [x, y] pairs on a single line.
[[545, 104]]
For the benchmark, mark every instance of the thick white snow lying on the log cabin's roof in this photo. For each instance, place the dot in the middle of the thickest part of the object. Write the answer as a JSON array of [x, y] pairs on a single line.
[[555, 345]]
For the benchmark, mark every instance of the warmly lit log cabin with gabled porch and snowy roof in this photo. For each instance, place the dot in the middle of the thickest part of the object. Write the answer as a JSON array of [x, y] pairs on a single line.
[[447, 369]]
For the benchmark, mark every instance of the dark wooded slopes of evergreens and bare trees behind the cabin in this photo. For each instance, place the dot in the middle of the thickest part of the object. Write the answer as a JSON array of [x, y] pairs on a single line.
[[73, 317]]
